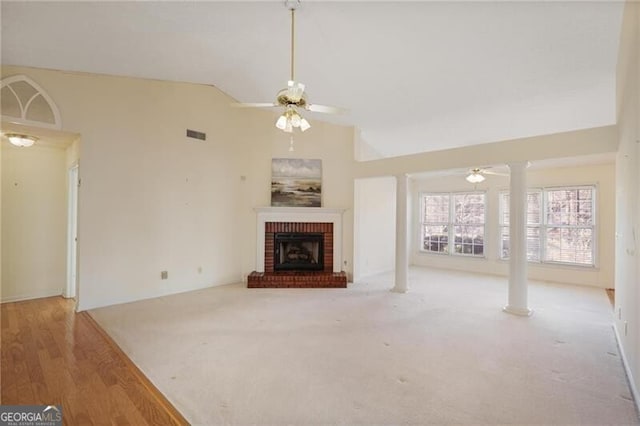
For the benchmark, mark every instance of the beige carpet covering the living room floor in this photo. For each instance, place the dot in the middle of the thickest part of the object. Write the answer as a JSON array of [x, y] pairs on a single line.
[[442, 353]]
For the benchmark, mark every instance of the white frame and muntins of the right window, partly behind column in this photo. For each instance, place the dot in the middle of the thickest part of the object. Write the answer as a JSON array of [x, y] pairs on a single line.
[[544, 225]]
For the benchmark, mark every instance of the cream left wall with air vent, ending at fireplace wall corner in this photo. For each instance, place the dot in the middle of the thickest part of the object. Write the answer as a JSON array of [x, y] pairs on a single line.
[[150, 199]]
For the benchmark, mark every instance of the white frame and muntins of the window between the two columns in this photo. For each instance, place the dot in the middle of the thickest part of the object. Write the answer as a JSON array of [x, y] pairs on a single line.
[[451, 224]]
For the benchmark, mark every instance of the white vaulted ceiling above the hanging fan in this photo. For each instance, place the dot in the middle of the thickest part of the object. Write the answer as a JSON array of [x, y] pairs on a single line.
[[415, 76]]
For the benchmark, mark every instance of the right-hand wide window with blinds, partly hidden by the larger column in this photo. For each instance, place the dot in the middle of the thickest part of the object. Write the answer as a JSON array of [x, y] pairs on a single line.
[[560, 225]]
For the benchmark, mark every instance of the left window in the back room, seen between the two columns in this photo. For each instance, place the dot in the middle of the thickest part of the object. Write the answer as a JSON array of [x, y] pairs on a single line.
[[457, 218]]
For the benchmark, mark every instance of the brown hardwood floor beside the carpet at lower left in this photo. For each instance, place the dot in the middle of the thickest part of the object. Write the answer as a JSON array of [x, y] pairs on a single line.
[[51, 355]]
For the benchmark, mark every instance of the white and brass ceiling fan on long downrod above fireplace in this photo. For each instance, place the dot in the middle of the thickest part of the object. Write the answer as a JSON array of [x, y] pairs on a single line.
[[293, 98]]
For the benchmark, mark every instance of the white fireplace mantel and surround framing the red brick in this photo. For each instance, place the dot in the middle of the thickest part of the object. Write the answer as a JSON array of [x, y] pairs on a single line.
[[300, 214]]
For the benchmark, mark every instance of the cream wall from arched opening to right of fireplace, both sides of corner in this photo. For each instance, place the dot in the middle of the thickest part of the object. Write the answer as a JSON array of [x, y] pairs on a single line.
[[153, 200]]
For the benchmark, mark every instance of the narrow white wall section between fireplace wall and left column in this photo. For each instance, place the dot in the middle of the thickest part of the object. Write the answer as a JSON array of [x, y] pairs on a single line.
[[374, 226]]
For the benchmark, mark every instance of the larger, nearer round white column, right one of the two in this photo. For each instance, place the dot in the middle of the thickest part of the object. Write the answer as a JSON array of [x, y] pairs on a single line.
[[517, 304]]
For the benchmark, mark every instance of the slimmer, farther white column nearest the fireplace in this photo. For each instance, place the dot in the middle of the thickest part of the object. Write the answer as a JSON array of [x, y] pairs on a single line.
[[402, 234]]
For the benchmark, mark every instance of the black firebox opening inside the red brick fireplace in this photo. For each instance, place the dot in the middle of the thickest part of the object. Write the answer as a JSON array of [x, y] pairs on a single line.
[[298, 251]]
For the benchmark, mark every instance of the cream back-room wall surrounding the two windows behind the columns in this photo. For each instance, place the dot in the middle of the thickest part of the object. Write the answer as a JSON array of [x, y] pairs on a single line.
[[601, 175]]
